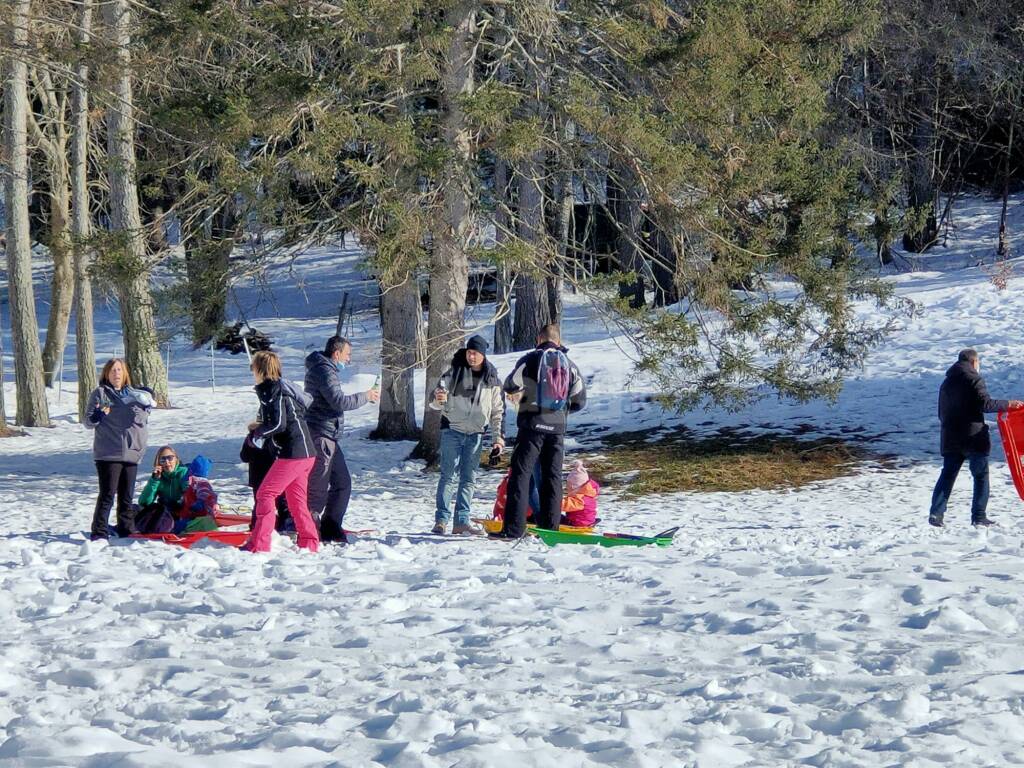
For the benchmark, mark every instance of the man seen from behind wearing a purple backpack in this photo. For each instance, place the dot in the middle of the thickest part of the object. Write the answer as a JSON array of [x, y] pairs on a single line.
[[548, 388]]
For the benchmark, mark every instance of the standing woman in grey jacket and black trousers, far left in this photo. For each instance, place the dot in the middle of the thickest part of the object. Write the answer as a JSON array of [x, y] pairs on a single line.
[[118, 414]]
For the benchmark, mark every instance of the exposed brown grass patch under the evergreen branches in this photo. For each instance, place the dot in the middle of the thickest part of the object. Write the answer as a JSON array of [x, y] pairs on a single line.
[[642, 464]]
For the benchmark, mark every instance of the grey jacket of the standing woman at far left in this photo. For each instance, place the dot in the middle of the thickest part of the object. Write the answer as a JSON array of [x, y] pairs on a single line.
[[121, 436]]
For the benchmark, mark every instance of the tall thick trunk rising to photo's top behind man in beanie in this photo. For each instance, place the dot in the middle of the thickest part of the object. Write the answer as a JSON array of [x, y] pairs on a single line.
[[450, 261]]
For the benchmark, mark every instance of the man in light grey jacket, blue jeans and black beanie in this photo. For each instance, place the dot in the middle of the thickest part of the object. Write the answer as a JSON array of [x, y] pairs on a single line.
[[470, 395]]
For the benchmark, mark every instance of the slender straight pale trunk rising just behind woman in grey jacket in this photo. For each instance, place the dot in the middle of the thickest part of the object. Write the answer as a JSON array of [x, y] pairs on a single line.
[[84, 347]]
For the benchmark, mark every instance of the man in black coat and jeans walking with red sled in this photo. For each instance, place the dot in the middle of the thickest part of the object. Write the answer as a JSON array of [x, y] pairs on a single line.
[[963, 402]]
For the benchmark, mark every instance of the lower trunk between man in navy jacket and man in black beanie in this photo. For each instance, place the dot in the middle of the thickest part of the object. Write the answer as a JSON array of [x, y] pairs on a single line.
[[402, 317]]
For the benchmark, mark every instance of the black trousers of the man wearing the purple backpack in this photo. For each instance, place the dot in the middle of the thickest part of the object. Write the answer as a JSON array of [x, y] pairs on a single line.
[[531, 449]]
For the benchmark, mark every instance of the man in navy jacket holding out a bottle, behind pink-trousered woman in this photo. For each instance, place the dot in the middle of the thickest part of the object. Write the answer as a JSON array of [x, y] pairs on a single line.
[[330, 482]]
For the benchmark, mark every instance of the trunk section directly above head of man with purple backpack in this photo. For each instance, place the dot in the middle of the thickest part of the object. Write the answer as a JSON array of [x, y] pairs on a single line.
[[533, 311]]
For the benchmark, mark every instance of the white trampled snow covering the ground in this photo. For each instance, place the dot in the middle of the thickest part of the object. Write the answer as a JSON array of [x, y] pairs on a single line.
[[828, 626]]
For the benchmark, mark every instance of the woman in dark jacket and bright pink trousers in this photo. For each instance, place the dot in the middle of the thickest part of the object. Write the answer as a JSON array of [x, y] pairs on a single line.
[[282, 422]]
